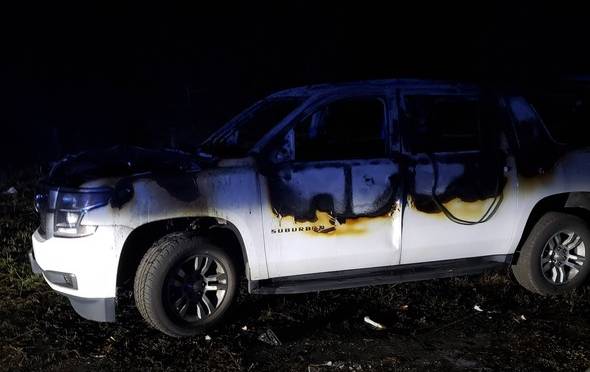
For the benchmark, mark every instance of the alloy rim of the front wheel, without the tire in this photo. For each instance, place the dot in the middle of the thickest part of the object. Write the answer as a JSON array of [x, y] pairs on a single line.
[[195, 288]]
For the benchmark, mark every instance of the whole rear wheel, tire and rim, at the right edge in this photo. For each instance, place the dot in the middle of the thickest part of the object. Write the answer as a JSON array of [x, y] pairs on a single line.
[[545, 265]]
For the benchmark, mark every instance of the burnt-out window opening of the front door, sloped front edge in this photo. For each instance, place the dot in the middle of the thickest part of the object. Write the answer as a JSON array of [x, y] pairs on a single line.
[[347, 129]]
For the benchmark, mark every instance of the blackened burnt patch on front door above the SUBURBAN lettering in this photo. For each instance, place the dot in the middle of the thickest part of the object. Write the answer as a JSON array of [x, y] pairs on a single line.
[[341, 189]]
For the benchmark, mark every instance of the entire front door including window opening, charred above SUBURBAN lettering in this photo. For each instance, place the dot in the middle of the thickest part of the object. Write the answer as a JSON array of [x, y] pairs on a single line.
[[333, 198]]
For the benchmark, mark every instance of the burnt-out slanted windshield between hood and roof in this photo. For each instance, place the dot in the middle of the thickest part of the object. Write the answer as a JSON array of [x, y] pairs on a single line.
[[248, 128]]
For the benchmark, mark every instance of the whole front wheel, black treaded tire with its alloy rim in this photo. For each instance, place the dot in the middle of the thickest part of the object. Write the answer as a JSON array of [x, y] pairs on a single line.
[[159, 287]]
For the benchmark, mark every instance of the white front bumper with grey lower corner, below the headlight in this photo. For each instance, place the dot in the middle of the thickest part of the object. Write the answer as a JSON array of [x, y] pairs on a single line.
[[83, 269]]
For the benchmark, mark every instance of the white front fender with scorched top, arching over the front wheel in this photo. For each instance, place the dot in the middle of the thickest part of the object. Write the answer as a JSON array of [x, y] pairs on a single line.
[[228, 193]]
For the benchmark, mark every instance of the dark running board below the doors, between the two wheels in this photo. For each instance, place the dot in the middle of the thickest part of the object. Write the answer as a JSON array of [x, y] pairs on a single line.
[[379, 275]]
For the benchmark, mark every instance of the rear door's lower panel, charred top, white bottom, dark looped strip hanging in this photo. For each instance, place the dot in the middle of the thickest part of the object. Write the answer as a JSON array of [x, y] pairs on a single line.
[[475, 215]]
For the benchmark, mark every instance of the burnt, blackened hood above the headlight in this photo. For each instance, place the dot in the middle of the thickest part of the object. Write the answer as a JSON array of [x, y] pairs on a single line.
[[119, 162]]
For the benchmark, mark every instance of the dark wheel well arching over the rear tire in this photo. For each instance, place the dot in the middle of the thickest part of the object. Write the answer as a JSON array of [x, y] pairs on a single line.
[[576, 203]]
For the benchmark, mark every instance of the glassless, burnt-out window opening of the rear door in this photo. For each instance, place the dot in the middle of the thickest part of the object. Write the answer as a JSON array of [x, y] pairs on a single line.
[[442, 123]]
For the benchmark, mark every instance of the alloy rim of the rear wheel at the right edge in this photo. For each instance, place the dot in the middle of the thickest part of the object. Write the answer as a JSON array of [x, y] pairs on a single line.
[[563, 257]]
